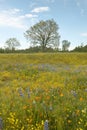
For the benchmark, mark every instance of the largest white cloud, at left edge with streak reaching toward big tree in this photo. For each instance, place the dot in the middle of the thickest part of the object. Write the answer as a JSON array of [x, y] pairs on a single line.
[[13, 18]]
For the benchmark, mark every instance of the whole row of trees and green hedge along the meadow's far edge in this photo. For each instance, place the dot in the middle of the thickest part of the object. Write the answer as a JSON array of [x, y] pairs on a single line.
[[42, 37]]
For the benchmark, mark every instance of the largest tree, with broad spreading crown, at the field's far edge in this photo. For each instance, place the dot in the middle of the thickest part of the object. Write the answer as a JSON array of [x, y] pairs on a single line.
[[43, 34]]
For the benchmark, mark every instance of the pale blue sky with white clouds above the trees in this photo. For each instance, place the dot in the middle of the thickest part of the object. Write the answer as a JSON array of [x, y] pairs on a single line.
[[17, 16]]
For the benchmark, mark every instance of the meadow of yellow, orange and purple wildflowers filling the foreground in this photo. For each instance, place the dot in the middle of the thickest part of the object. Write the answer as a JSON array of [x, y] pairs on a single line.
[[44, 91]]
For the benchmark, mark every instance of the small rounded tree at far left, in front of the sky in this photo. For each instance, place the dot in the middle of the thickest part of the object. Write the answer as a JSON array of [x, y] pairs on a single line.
[[12, 43]]
